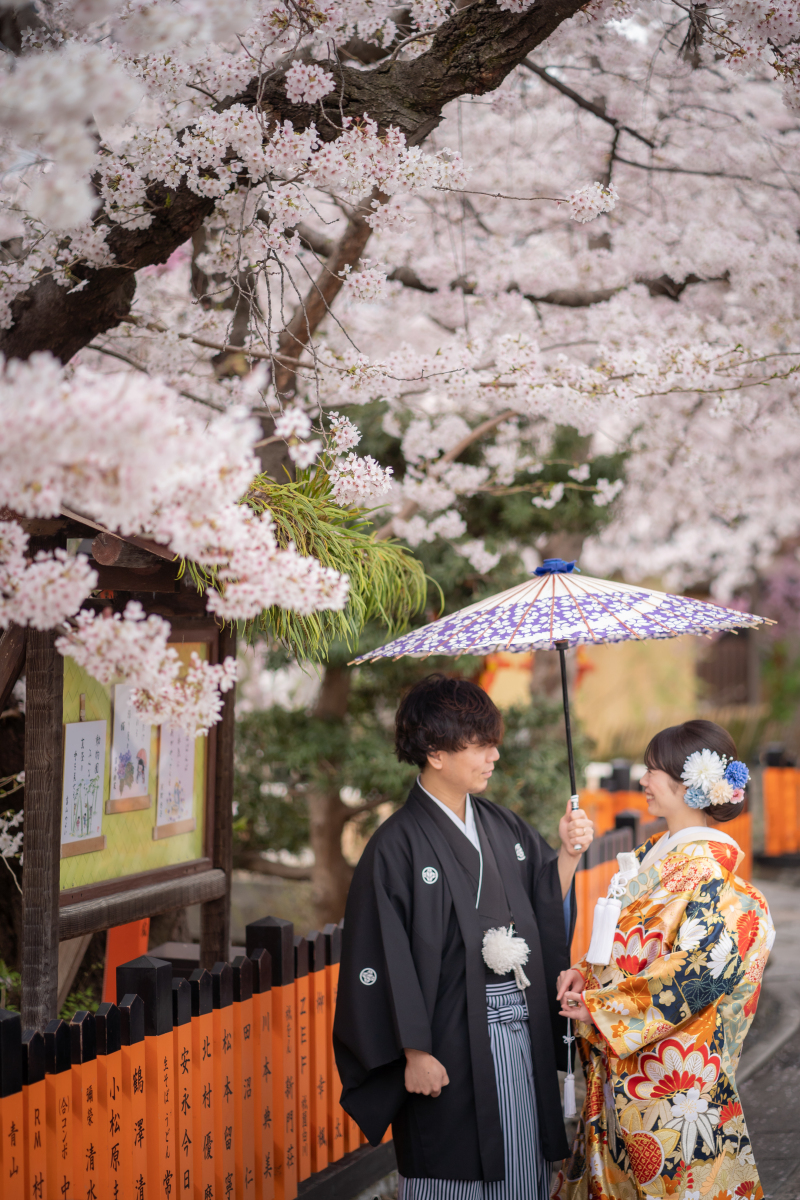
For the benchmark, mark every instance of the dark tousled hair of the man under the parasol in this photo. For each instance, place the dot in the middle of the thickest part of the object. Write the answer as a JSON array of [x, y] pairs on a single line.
[[444, 715]]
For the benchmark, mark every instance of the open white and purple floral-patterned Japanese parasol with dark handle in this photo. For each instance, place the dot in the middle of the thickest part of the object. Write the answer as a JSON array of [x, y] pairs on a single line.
[[561, 608]]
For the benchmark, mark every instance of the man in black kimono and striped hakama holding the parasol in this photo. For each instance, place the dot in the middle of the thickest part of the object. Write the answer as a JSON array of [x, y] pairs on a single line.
[[456, 1058]]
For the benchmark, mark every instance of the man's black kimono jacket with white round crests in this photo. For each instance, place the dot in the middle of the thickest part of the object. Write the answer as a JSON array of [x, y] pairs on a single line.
[[413, 976]]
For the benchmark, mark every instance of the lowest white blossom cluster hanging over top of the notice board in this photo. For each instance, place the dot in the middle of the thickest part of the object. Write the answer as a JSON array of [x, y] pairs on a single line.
[[135, 649]]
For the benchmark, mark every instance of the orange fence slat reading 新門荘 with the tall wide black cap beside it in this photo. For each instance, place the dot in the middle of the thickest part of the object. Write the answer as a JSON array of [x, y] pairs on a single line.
[[276, 937]]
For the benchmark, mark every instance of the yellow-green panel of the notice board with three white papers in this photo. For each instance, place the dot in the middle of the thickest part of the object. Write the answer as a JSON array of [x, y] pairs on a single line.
[[145, 814]]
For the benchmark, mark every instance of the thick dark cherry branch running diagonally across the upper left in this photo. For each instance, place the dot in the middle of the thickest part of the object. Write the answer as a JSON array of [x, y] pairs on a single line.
[[471, 55]]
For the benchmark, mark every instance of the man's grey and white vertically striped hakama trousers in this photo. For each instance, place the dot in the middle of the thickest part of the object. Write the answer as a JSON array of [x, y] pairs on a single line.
[[528, 1177]]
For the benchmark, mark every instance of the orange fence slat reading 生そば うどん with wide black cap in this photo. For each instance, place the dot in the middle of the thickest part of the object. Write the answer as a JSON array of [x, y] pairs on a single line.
[[153, 981]]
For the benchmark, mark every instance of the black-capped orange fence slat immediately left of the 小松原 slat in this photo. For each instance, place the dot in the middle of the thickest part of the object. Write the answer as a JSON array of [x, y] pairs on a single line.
[[91, 1181]]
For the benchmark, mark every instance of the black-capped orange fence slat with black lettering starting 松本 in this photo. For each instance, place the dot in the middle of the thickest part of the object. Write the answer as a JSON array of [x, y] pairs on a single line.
[[222, 1059]]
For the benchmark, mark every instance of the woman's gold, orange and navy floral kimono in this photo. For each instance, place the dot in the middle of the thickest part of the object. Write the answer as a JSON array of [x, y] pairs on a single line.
[[671, 1012]]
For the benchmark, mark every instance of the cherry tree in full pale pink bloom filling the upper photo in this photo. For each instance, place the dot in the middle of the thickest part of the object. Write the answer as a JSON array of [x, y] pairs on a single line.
[[227, 229]]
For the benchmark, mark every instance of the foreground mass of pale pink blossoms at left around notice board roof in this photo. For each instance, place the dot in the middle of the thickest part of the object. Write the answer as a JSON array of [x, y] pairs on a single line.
[[125, 452]]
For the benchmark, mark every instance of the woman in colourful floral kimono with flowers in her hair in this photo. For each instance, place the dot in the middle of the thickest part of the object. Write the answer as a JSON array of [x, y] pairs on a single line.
[[667, 993]]
